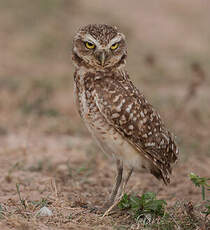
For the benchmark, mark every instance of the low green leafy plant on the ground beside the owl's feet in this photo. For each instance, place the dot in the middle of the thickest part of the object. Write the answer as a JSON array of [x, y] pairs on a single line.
[[146, 206]]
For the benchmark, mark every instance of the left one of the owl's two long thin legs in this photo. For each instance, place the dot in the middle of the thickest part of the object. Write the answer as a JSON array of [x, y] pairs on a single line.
[[117, 184]]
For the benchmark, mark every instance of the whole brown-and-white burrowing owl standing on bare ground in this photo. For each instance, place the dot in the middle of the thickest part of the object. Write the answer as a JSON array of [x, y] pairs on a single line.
[[115, 112]]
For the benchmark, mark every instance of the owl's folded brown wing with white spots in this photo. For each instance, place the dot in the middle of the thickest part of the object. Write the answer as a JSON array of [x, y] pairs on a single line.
[[127, 110]]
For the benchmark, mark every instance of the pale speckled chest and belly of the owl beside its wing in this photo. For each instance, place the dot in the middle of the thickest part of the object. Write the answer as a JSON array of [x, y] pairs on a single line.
[[105, 134]]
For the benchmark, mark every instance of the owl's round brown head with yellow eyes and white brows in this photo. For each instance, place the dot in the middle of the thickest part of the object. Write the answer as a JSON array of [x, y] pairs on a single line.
[[99, 46]]
